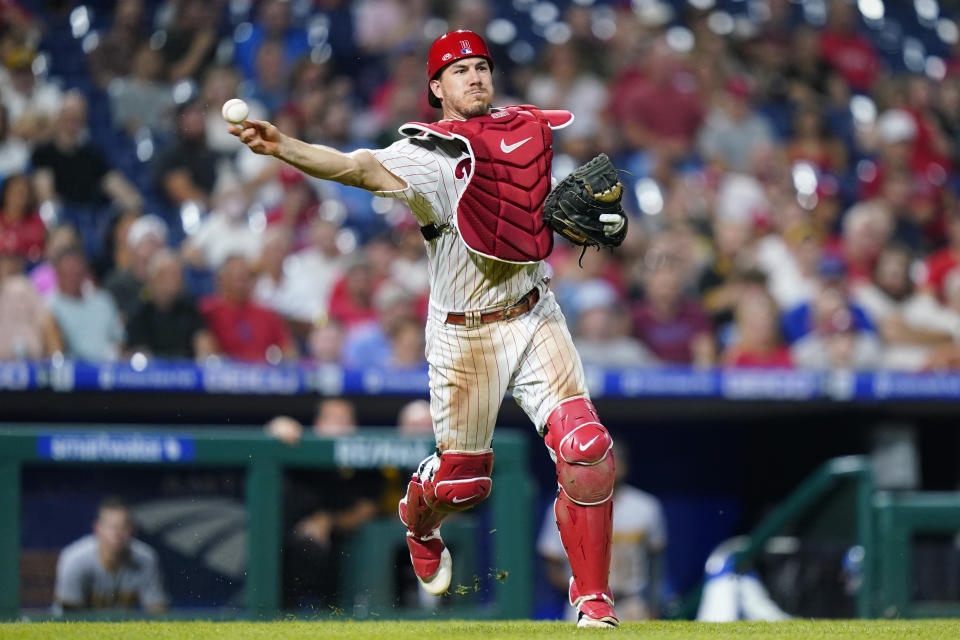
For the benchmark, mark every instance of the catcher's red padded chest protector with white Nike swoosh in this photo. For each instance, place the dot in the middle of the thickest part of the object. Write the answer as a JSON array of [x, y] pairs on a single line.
[[500, 213]]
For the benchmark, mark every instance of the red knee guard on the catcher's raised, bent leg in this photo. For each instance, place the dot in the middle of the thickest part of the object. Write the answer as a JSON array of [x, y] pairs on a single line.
[[456, 480]]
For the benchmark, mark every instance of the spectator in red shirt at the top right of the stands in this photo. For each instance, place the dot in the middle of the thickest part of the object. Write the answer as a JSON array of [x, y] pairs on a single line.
[[851, 54]]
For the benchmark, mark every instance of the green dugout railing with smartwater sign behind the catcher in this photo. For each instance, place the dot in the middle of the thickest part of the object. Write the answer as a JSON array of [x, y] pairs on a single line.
[[264, 460]]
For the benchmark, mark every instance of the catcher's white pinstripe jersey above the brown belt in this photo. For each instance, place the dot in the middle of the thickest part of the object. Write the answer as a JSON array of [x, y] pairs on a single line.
[[460, 280]]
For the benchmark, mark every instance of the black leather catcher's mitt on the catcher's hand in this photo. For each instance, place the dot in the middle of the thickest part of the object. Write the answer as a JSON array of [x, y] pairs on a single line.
[[585, 206]]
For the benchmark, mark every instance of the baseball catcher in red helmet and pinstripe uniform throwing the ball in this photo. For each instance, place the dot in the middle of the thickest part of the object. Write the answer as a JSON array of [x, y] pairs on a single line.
[[476, 181]]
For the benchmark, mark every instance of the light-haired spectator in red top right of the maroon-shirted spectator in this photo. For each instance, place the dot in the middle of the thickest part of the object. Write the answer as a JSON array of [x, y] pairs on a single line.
[[758, 342]]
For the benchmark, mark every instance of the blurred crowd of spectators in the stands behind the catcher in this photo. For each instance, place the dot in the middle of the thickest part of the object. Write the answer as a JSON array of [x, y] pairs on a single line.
[[791, 174]]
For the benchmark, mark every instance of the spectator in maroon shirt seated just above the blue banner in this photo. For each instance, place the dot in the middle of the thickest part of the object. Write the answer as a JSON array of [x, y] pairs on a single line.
[[671, 324]]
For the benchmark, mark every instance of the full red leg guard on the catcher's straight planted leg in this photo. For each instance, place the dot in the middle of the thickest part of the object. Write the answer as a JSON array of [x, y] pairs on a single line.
[[581, 447]]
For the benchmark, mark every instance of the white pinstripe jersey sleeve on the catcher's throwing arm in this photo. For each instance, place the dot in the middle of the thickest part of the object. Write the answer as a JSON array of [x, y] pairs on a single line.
[[416, 165]]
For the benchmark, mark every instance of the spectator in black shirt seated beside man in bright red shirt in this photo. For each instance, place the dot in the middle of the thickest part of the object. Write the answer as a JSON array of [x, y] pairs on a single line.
[[167, 324]]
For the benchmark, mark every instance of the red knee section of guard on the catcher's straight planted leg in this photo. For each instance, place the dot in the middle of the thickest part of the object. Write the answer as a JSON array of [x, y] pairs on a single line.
[[582, 449]]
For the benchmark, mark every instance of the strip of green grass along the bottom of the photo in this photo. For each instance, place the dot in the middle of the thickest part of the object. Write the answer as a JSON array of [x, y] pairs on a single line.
[[466, 630]]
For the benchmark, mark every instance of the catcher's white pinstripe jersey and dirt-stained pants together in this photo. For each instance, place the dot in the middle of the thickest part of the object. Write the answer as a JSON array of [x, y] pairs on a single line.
[[471, 368]]
